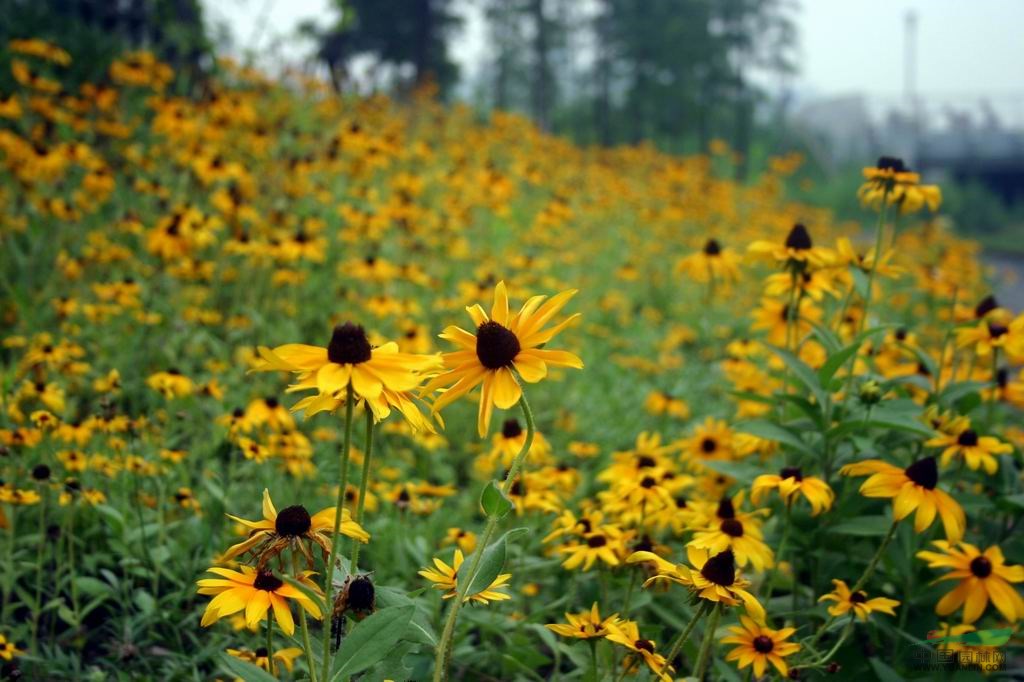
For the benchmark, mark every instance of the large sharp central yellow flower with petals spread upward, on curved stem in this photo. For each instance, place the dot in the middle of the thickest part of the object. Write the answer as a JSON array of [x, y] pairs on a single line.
[[503, 343]]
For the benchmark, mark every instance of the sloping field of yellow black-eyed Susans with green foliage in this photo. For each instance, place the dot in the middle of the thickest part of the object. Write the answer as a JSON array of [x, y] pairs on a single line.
[[308, 388]]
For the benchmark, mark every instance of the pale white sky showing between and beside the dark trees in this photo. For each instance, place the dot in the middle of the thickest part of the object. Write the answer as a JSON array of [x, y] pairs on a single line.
[[968, 48]]
